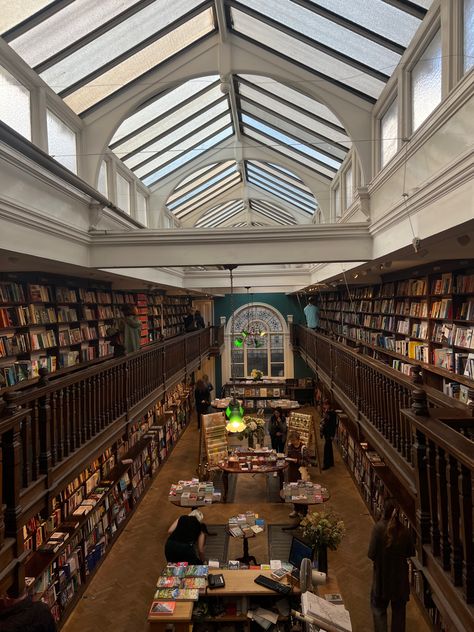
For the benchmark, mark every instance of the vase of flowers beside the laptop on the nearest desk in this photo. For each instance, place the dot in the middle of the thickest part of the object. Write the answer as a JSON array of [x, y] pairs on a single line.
[[325, 530]]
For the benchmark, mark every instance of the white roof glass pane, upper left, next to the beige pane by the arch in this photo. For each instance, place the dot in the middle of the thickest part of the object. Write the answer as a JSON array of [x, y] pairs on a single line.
[[113, 43]]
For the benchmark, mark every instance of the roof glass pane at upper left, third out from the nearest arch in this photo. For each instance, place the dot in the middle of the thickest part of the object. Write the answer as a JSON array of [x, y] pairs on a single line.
[[65, 27]]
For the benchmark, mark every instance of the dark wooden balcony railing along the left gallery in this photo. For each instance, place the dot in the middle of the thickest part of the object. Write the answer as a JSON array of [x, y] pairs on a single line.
[[49, 433]]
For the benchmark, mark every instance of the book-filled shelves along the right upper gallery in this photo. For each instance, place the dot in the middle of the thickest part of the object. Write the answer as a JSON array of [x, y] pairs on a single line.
[[427, 321]]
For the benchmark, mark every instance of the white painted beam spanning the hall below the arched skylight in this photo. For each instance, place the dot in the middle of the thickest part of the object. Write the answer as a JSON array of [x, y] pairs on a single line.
[[301, 244]]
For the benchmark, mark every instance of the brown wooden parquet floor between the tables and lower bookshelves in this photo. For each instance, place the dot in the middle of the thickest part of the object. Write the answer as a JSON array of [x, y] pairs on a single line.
[[120, 593]]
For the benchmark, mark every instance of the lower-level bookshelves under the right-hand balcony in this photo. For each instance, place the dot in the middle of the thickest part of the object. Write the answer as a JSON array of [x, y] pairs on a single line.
[[376, 483]]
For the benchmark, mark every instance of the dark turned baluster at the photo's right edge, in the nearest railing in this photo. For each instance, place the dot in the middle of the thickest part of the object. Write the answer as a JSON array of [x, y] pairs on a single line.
[[466, 531]]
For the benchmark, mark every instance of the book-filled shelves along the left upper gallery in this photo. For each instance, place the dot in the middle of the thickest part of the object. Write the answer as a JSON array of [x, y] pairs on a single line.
[[53, 323]]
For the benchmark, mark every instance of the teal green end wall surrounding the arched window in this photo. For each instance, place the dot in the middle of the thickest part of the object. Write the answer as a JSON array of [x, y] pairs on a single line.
[[286, 305]]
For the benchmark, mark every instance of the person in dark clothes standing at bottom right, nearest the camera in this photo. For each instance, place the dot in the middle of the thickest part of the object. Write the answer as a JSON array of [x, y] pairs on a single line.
[[390, 546]]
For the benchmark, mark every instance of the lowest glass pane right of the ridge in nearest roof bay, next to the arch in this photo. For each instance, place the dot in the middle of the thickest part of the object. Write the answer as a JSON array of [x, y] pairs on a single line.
[[306, 55]]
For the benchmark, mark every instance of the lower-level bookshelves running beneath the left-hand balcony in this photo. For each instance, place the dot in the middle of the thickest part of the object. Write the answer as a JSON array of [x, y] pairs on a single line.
[[66, 546]]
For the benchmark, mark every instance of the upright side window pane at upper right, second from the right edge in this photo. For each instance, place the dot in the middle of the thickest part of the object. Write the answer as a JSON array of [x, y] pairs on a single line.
[[426, 82]]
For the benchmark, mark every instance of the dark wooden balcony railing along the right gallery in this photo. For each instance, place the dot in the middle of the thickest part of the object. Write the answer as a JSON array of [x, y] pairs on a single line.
[[428, 447]]
